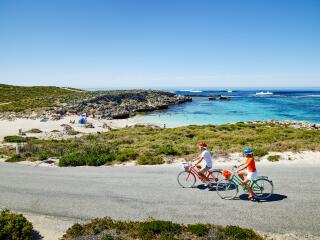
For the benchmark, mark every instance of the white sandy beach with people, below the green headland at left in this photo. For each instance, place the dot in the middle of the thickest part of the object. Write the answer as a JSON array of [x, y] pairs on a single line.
[[8, 127]]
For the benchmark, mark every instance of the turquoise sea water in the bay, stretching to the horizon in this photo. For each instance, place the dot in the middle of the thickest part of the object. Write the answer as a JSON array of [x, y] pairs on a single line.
[[242, 106]]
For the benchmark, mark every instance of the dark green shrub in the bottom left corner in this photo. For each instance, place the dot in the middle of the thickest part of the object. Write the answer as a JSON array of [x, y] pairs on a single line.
[[14, 226]]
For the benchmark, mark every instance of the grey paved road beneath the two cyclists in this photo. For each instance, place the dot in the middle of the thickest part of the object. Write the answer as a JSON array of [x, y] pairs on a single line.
[[141, 192]]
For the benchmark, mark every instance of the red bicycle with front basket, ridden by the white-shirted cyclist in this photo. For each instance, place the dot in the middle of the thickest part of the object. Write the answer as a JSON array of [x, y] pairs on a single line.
[[188, 177]]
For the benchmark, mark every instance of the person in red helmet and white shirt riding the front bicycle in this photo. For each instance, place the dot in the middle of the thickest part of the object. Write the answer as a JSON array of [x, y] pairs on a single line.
[[206, 157]]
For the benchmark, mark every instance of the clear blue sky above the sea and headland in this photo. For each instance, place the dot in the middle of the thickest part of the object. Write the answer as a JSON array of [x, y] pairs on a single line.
[[154, 44]]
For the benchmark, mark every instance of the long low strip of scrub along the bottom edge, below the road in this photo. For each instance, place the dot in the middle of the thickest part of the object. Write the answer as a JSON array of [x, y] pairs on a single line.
[[108, 229]]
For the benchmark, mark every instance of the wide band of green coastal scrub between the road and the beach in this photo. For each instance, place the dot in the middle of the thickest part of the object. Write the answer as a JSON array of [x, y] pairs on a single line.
[[154, 145]]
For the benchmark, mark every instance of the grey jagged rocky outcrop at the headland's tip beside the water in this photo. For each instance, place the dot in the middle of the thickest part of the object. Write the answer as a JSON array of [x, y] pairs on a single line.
[[124, 105]]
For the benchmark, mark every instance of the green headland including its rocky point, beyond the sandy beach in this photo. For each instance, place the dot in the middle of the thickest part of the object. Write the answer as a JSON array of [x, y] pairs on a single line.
[[21, 101]]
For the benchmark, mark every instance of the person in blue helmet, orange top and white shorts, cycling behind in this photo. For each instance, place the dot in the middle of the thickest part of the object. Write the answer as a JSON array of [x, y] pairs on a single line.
[[251, 172]]
